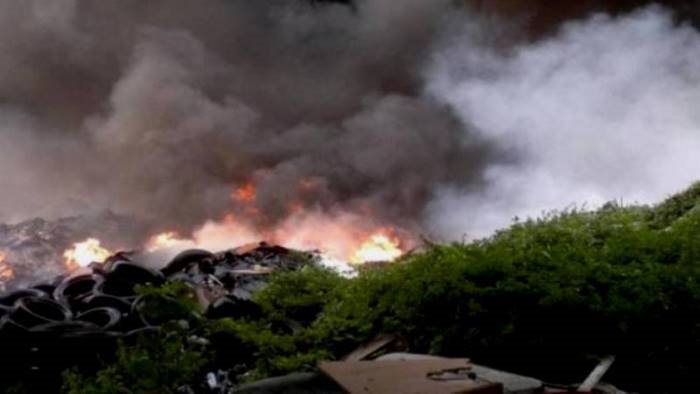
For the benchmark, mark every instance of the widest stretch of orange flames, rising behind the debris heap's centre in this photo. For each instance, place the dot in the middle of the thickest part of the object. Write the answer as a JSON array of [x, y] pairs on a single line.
[[347, 236]]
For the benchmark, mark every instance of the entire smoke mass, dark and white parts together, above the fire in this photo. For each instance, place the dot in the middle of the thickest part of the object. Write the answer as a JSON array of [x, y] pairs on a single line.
[[416, 114]]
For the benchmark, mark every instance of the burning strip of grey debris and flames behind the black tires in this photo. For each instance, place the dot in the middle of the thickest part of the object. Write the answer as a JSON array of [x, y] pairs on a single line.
[[40, 250]]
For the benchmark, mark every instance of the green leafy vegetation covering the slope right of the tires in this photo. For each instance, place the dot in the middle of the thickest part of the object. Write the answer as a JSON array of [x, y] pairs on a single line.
[[543, 297]]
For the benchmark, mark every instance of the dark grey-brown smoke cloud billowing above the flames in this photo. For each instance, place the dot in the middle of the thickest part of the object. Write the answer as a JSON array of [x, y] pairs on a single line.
[[158, 109]]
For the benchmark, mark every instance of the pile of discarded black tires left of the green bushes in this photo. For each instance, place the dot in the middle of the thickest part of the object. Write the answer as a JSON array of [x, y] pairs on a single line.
[[73, 322]]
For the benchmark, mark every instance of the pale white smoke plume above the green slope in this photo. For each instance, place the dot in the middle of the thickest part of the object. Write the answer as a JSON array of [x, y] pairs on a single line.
[[603, 110]]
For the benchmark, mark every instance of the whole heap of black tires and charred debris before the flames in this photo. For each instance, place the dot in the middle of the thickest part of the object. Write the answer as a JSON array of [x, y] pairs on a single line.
[[78, 318]]
